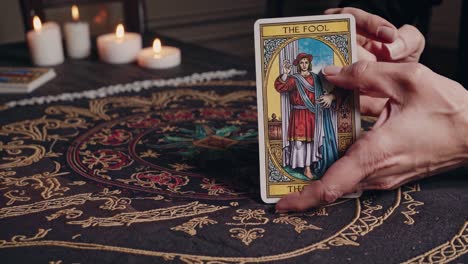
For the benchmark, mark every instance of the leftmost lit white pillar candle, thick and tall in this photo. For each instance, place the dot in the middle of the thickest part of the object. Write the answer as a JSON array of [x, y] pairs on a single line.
[[45, 43]]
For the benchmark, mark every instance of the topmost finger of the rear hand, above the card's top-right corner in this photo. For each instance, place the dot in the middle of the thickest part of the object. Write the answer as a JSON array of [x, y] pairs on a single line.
[[369, 25]]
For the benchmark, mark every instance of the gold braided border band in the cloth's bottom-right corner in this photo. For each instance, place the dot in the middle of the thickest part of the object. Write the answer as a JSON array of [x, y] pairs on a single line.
[[446, 252]]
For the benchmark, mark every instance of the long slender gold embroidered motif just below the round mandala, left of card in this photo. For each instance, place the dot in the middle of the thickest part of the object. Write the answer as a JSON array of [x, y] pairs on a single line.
[[160, 214]]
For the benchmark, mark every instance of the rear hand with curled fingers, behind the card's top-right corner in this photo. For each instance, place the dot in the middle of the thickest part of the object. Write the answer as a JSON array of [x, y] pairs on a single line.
[[379, 40]]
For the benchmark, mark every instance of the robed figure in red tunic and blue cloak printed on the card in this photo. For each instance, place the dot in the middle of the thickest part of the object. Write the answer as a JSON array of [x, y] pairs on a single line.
[[309, 118]]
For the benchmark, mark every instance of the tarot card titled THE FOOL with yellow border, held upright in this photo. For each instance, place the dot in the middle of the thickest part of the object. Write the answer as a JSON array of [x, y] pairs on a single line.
[[305, 123]]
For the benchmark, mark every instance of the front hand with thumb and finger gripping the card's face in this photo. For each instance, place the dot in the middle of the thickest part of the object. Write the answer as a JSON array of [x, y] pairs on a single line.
[[422, 131]]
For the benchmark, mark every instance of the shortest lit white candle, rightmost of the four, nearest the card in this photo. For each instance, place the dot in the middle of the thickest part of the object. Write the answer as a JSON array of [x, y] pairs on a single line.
[[159, 57]]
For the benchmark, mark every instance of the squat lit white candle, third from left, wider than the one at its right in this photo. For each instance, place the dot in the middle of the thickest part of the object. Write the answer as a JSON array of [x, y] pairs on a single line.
[[120, 47]]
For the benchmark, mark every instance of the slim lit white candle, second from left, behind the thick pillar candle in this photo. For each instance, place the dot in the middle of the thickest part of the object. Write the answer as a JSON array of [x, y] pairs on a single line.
[[77, 37]]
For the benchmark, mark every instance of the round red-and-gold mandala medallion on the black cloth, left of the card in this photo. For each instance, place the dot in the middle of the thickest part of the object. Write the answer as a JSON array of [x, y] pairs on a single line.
[[174, 145]]
